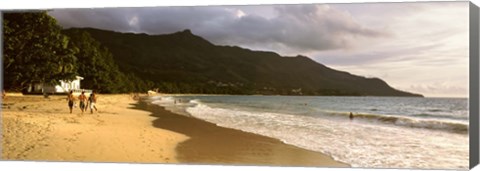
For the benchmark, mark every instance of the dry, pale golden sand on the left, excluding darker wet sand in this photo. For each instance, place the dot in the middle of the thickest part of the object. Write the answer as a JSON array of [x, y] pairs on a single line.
[[35, 128]]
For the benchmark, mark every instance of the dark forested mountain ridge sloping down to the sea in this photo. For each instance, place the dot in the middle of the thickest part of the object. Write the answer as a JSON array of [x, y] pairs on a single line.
[[182, 62]]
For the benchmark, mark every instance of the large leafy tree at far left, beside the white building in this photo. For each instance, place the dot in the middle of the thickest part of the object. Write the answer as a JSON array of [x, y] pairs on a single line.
[[35, 50]]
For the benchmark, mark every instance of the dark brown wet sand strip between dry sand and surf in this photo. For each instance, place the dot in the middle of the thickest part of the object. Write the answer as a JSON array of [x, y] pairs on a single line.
[[212, 144]]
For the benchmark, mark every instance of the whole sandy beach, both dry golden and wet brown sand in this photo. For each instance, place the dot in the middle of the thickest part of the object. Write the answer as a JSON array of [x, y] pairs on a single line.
[[125, 130]]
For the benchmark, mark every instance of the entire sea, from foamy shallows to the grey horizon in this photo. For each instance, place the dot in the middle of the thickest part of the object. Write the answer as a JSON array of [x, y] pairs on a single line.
[[386, 132]]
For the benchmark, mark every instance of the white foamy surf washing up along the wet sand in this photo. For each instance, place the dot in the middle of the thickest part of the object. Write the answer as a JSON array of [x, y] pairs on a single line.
[[369, 140]]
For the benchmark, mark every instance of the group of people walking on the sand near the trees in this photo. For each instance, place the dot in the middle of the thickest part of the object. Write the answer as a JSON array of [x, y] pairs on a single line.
[[85, 102]]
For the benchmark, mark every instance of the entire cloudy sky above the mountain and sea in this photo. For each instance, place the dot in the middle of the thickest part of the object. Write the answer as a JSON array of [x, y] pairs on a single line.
[[418, 47]]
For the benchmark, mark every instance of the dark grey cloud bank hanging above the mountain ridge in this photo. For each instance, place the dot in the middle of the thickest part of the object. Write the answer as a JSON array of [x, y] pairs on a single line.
[[294, 28]]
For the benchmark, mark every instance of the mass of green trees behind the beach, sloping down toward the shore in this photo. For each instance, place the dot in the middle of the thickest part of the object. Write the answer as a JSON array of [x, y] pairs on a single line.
[[37, 50]]
